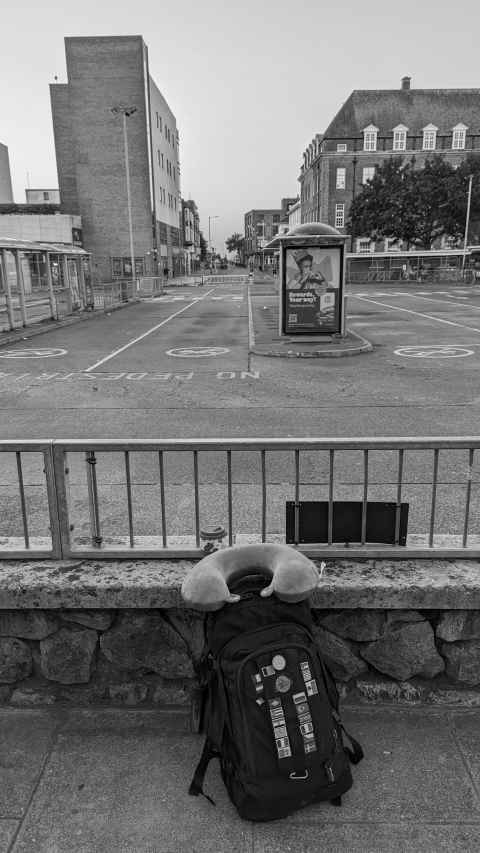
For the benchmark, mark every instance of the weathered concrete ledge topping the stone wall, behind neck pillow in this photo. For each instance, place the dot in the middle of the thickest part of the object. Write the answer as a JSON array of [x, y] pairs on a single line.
[[88, 584]]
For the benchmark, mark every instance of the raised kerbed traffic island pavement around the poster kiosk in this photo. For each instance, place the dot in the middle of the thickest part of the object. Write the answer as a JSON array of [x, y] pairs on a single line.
[[264, 338]]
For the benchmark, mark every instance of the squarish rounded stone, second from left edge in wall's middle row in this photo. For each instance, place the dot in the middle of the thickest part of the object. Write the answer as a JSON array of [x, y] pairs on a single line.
[[67, 656]]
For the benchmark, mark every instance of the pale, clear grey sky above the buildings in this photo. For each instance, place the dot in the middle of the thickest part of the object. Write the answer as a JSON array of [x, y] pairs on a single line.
[[250, 82]]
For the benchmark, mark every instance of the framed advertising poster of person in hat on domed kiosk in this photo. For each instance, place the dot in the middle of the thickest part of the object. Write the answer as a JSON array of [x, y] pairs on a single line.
[[312, 290]]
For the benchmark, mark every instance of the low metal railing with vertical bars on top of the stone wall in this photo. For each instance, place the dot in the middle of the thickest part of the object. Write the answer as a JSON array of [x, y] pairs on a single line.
[[124, 499]]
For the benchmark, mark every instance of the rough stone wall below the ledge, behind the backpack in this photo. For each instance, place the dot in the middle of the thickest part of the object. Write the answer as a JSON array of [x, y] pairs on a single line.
[[139, 656]]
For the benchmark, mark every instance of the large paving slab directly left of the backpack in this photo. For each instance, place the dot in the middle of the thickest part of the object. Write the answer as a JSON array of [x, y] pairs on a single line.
[[118, 782]]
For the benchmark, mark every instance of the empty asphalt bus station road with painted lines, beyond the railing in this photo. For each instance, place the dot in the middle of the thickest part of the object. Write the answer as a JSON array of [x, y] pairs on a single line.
[[178, 366]]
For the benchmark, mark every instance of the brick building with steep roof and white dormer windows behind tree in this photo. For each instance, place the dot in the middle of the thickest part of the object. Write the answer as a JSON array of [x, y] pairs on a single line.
[[374, 125]]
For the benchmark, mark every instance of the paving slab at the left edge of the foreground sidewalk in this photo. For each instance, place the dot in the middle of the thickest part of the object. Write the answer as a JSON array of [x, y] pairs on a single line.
[[25, 740]]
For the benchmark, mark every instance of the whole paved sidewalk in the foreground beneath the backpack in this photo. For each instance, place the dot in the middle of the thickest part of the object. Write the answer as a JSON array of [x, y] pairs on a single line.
[[115, 781]]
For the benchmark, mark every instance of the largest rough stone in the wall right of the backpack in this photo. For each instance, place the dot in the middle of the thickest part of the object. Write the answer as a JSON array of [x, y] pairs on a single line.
[[406, 651]]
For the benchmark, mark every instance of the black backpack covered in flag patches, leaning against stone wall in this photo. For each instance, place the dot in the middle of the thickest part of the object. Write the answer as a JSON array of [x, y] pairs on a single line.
[[269, 708]]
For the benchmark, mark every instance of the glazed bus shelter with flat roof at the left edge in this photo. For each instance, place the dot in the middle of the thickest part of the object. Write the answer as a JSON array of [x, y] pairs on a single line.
[[42, 281]]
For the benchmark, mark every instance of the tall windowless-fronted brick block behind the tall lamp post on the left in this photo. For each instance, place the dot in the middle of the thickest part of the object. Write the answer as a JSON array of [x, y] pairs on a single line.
[[104, 73]]
